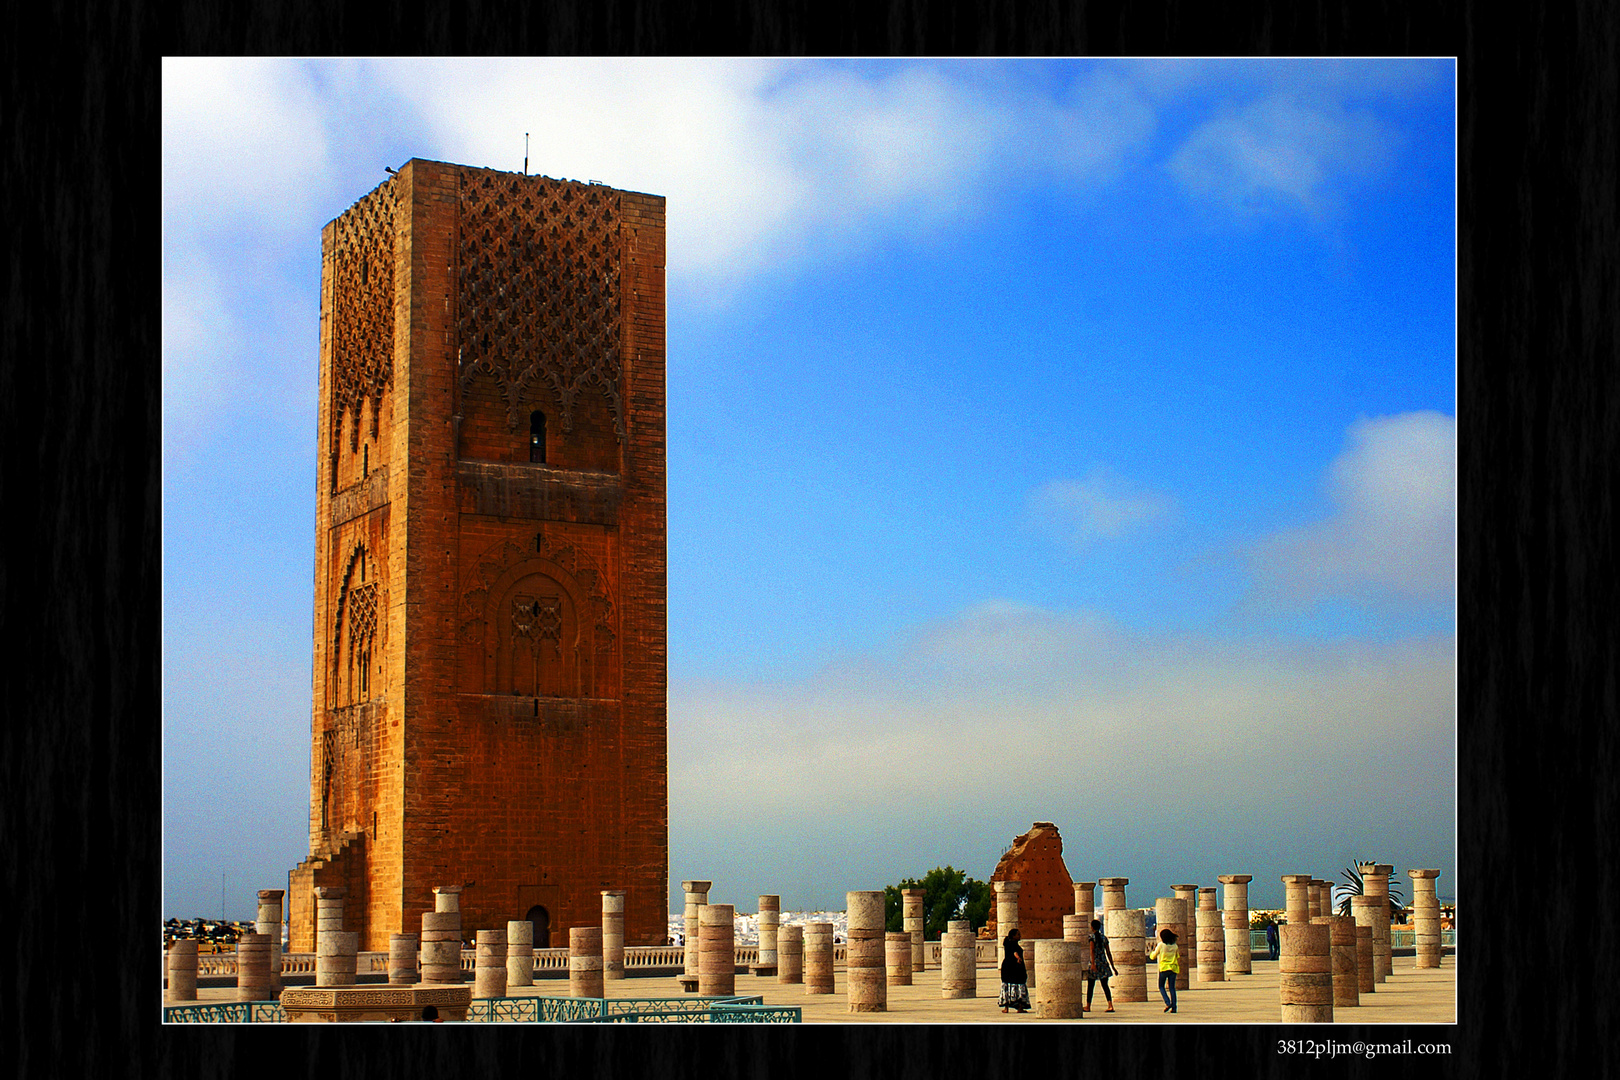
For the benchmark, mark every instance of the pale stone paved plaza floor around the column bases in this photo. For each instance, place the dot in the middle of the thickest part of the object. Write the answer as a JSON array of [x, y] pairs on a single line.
[[1407, 997]]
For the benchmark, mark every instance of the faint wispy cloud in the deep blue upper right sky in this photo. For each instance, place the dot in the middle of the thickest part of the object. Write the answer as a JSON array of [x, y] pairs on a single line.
[[1282, 153]]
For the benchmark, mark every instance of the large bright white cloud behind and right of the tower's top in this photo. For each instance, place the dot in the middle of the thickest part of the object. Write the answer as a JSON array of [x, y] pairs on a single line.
[[767, 163]]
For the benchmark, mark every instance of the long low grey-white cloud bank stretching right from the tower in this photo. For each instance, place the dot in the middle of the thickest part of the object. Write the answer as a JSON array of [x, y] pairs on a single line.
[[1099, 702]]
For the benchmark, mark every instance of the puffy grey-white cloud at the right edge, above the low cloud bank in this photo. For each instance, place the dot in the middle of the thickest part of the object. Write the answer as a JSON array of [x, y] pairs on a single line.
[[1394, 525]]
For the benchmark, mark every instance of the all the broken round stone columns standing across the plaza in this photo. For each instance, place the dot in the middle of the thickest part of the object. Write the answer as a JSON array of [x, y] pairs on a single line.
[[1357, 956]]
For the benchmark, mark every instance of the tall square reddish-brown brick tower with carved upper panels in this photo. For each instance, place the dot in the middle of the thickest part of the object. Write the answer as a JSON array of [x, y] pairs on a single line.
[[490, 597]]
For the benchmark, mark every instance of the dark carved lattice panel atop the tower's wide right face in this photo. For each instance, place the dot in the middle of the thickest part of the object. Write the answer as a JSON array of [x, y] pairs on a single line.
[[539, 292]]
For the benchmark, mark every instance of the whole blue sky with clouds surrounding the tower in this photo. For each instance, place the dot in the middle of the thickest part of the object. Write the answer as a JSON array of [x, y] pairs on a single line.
[[1064, 441]]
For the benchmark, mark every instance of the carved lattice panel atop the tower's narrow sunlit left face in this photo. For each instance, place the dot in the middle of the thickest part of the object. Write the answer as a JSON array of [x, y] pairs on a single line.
[[364, 310]]
